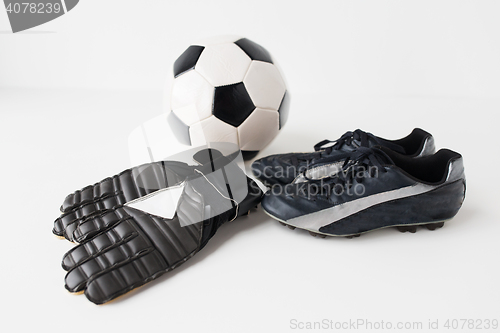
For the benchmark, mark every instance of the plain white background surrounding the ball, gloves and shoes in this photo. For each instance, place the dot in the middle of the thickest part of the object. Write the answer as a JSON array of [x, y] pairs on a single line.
[[72, 90]]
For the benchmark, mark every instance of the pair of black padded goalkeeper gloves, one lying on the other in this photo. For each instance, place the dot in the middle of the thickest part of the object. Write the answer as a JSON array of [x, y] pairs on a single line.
[[122, 247]]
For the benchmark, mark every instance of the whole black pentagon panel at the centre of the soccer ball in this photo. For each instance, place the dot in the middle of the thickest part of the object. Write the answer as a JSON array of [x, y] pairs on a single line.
[[232, 104]]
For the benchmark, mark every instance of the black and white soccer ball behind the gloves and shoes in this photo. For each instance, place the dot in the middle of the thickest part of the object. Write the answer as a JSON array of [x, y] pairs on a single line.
[[228, 90]]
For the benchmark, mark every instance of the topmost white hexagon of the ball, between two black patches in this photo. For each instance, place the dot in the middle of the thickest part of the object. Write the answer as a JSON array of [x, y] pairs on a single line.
[[223, 64]]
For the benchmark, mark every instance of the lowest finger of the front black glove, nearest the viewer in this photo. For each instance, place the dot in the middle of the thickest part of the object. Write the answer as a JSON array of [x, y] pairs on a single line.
[[123, 278]]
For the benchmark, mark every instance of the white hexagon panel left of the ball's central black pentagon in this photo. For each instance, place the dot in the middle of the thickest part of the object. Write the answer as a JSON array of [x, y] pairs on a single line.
[[192, 97]]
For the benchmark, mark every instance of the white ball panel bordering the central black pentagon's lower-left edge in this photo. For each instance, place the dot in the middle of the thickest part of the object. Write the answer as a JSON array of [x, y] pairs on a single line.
[[212, 130]]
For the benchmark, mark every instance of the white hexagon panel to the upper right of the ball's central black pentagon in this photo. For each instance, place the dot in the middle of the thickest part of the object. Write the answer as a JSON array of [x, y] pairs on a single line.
[[264, 85]]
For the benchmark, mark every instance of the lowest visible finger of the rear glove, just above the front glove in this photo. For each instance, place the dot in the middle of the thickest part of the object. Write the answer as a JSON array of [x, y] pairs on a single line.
[[90, 227]]
